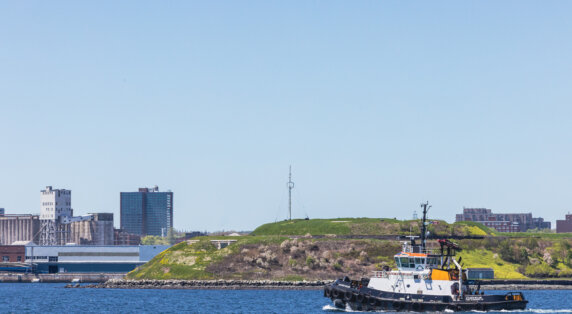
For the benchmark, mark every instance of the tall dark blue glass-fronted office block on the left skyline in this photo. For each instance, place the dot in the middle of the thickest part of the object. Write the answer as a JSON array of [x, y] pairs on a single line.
[[146, 212]]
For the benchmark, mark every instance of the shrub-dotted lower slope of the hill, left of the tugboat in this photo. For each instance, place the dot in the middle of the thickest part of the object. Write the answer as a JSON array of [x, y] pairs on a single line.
[[269, 257]]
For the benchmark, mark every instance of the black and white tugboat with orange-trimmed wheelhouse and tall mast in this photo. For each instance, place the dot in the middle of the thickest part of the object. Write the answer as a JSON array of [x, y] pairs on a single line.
[[425, 280]]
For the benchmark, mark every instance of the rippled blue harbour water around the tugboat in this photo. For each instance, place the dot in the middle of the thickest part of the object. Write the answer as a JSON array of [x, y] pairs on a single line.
[[54, 298]]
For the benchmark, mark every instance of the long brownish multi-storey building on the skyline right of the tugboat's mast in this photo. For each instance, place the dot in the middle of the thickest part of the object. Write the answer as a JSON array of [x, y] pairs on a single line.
[[519, 222]]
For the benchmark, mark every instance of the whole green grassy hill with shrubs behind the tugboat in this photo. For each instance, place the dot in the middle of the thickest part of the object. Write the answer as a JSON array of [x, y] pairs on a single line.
[[289, 251]]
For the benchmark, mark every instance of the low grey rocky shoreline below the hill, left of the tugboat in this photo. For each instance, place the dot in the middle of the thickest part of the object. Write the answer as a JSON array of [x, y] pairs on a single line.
[[206, 284]]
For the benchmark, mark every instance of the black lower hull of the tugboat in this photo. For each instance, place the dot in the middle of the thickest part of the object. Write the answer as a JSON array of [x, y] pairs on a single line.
[[365, 299]]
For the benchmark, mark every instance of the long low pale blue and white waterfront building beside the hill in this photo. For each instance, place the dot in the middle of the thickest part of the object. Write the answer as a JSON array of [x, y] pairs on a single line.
[[86, 259]]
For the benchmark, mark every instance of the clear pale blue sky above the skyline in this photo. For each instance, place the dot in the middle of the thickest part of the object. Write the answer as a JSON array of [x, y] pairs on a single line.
[[377, 105]]
